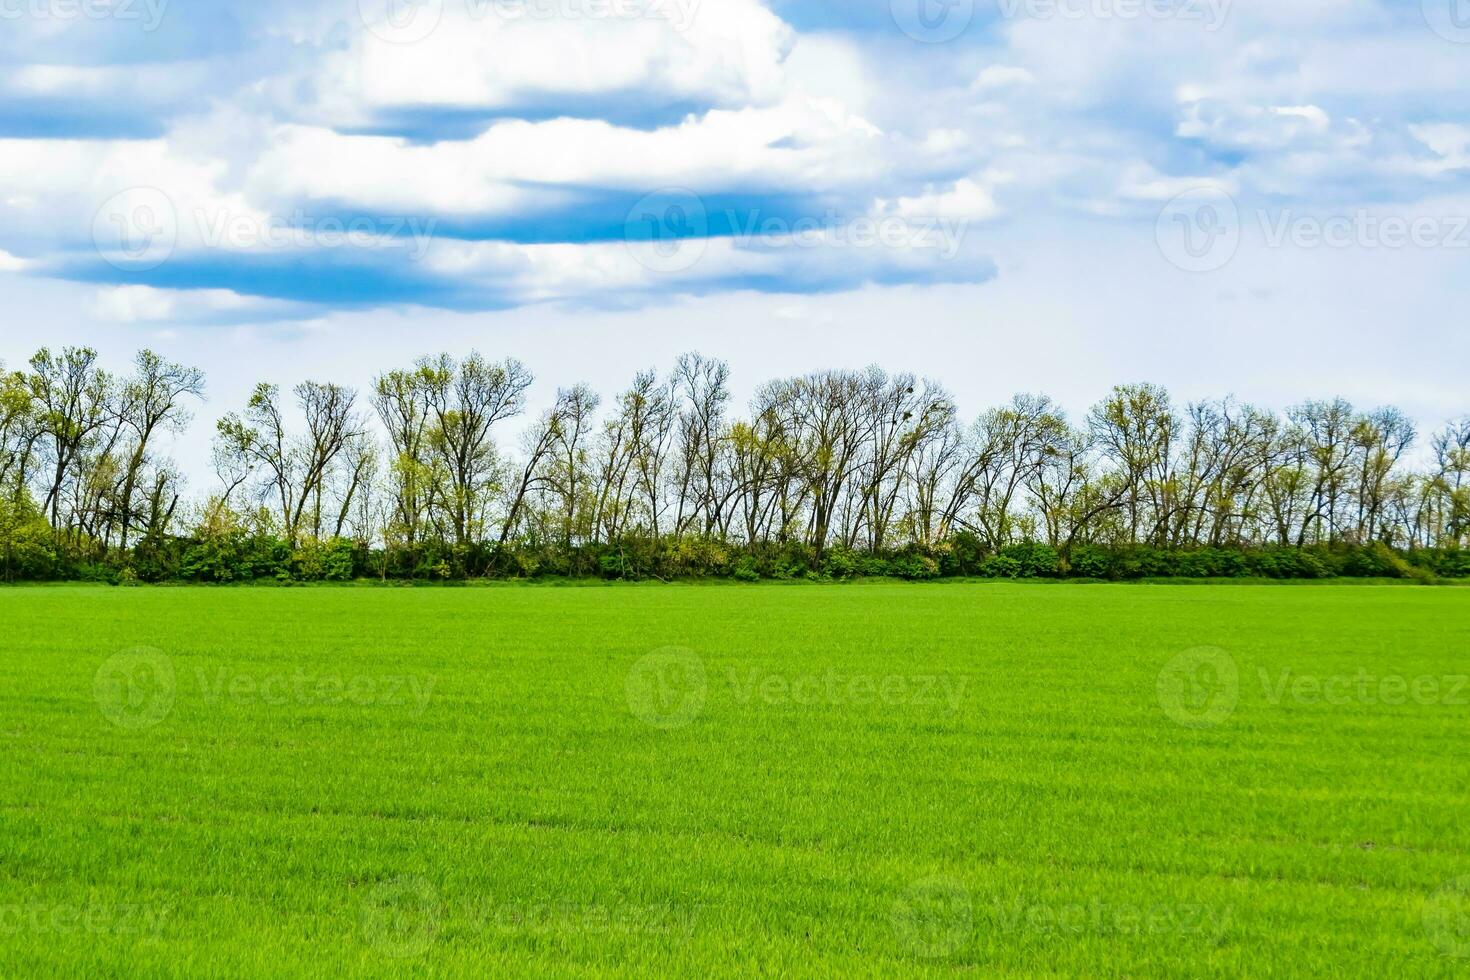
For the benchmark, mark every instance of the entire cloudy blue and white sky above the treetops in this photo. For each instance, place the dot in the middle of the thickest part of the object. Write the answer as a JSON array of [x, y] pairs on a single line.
[[1266, 198]]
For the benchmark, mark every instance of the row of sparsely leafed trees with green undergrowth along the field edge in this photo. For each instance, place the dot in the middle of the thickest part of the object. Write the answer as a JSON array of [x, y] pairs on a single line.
[[434, 472]]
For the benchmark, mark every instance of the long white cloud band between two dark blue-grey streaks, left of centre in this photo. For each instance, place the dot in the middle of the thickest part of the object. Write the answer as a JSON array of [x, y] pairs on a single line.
[[517, 165]]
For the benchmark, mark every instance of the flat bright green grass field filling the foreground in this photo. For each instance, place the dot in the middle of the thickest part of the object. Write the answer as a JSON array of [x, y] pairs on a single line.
[[720, 781]]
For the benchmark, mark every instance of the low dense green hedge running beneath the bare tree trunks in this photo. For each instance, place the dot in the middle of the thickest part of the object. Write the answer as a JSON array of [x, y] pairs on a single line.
[[267, 559]]
